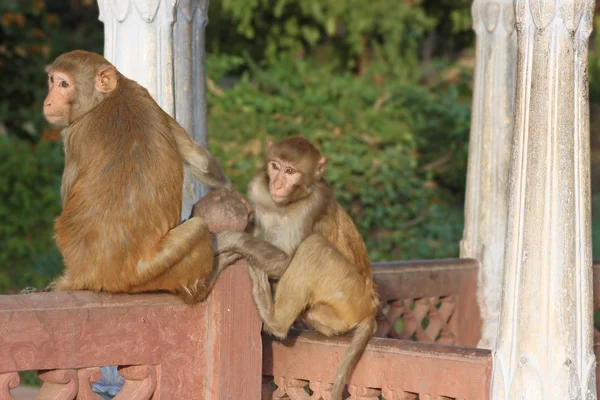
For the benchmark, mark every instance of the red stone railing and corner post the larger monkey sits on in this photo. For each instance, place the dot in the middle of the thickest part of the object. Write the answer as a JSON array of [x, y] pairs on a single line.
[[165, 348]]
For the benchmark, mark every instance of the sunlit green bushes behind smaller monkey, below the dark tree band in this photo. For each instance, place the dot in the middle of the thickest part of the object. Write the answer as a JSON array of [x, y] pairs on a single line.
[[390, 145]]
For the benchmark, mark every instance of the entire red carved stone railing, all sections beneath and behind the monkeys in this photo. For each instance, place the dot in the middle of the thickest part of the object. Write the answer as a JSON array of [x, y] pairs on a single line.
[[213, 351]]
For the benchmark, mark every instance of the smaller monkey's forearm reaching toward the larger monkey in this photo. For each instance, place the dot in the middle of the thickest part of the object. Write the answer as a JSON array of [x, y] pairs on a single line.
[[261, 254]]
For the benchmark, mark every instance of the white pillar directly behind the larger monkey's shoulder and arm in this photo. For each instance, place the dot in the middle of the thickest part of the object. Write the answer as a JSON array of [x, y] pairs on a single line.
[[160, 44]]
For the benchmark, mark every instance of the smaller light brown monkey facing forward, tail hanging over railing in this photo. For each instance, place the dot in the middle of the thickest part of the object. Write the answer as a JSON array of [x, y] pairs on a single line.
[[312, 246]]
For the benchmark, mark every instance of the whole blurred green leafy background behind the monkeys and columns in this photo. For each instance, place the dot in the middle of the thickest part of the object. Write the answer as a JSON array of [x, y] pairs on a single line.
[[382, 87]]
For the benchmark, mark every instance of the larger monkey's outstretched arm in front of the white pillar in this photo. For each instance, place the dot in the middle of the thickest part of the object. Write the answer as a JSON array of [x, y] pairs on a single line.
[[203, 165]]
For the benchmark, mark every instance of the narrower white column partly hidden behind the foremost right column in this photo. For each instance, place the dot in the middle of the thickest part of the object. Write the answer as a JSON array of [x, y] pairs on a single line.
[[489, 153]]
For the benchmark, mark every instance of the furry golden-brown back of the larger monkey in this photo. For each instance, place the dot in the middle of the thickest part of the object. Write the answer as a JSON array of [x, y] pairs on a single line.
[[126, 189]]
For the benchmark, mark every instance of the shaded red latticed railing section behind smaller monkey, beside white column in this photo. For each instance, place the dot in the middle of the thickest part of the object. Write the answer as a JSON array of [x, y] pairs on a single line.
[[430, 301]]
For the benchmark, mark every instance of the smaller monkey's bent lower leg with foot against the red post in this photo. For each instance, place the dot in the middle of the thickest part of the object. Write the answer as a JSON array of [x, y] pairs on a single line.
[[277, 316]]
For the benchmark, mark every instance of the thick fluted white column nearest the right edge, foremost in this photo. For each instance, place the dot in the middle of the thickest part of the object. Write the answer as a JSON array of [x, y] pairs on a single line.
[[545, 340]]
